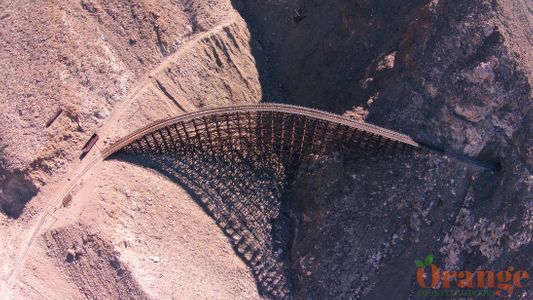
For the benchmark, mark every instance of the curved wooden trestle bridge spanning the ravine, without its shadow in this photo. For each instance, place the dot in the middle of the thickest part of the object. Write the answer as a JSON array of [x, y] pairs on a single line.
[[291, 133]]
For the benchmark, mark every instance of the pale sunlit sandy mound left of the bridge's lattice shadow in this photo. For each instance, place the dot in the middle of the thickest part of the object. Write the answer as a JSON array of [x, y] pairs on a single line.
[[170, 246]]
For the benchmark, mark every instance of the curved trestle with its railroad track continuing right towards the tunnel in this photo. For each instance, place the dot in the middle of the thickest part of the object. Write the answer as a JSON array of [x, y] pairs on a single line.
[[248, 124]]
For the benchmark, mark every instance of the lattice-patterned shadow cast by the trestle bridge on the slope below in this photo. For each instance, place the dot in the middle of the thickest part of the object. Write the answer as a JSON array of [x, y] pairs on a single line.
[[246, 198]]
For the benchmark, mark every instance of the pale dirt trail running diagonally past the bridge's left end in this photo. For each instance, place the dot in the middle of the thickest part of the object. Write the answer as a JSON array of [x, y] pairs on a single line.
[[81, 169]]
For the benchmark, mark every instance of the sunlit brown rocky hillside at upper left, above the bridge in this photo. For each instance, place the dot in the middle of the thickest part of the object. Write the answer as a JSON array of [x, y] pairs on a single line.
[[86, 58]]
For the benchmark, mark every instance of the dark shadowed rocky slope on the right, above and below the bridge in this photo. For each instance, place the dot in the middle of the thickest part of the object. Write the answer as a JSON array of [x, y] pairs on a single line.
[[454, 74]]
